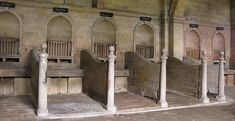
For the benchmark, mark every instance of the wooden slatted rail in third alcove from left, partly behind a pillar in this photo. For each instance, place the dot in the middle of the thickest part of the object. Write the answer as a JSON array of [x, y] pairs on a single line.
[[101, 50]]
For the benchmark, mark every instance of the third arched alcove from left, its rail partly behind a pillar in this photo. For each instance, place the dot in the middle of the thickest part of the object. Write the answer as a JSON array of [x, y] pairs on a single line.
[[104, 35]]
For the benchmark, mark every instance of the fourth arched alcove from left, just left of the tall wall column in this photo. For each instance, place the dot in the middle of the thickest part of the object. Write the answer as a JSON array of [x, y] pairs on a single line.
[[144, 41]]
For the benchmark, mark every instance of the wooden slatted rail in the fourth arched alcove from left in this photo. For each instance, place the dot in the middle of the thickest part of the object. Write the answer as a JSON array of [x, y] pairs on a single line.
[[145, 51]]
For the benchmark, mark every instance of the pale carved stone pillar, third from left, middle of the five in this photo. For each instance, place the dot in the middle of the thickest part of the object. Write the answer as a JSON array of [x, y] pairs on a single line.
[[163, 101]]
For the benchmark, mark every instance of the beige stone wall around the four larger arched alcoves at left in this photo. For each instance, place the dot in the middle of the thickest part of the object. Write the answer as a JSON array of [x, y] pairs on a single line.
[[34, 19]]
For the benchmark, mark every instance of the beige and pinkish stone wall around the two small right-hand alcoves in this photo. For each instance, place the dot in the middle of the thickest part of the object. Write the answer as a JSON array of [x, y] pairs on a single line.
[[208, 15]]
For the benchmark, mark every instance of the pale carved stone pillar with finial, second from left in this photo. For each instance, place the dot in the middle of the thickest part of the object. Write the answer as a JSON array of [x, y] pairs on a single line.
[[110, 102]]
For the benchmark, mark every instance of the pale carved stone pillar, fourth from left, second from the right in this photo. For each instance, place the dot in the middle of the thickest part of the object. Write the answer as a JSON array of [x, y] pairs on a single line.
[[204, 97]]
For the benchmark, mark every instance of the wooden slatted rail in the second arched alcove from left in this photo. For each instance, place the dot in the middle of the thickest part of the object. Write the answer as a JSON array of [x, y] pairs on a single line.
[[59, 48]]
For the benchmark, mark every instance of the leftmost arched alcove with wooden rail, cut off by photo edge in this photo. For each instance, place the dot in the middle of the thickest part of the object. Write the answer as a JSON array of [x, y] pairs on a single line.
[[9, 37]]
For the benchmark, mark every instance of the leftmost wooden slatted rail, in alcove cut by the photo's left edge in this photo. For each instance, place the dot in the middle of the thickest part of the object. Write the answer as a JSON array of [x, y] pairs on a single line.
[[9, 46]]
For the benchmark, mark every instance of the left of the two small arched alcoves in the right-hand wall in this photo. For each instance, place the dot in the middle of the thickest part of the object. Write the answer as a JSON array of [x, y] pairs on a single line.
[[193, 45]]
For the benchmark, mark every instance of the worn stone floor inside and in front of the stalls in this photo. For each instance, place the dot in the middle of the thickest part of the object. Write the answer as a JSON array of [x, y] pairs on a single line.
[[63, 108]]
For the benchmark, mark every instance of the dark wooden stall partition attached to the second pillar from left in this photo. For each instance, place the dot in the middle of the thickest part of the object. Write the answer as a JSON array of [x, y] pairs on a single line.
[[95, 80]]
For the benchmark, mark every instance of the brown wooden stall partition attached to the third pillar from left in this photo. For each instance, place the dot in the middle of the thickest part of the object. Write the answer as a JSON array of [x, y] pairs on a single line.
[[144, 76]]
